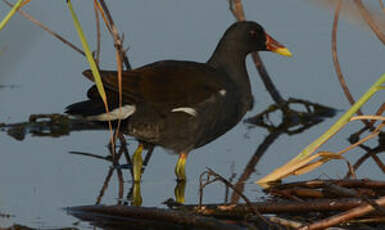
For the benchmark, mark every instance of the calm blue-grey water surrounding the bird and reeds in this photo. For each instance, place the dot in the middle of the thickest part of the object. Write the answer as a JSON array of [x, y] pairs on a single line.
[[38, 177]]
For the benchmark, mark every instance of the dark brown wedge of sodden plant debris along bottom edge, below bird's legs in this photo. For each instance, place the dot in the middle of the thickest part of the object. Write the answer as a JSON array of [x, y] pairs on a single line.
[[126, 217]]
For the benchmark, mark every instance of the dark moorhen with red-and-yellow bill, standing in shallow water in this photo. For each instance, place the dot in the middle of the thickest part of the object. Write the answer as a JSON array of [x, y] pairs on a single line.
[[182, 105]]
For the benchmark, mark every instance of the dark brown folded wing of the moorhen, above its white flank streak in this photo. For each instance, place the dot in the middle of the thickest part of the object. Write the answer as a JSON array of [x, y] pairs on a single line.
[[166, 83]]
